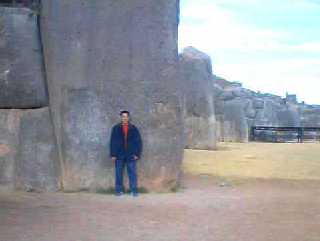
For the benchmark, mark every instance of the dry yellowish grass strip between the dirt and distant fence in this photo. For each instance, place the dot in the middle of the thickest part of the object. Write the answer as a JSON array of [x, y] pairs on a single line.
[[256, 160]]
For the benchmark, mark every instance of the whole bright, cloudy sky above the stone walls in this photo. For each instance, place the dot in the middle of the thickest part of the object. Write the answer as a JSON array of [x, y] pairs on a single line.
[[268, 45]]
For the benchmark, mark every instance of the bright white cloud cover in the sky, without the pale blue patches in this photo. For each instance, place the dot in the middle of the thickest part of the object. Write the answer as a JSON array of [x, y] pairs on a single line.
[[217, 31]]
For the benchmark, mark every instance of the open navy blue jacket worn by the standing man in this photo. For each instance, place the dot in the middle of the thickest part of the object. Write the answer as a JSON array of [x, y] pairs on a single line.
[[134, 142]]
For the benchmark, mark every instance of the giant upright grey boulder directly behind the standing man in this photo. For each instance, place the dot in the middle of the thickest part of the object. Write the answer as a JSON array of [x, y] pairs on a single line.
[[102, 57]]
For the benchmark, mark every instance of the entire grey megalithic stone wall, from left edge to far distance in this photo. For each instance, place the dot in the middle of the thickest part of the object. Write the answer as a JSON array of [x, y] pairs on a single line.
[[102, 57]]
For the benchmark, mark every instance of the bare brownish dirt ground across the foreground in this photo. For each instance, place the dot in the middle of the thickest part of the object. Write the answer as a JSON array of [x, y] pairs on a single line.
[[205, 208]]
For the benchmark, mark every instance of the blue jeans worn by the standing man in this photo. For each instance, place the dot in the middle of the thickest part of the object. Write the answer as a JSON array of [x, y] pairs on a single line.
[[132, 174]]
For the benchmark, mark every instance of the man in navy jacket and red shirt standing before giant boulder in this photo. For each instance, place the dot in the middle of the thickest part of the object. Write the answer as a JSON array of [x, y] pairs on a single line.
[[125, 150]]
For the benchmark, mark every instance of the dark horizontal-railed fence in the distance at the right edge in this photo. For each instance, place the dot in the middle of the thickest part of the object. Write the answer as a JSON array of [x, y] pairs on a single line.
[[284, 134]]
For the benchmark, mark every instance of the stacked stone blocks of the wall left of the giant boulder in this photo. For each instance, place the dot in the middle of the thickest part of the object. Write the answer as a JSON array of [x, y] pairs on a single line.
[[28, 151]]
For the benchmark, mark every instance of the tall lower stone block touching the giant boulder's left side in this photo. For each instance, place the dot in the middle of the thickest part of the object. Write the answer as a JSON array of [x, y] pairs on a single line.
[[37, 163]]
